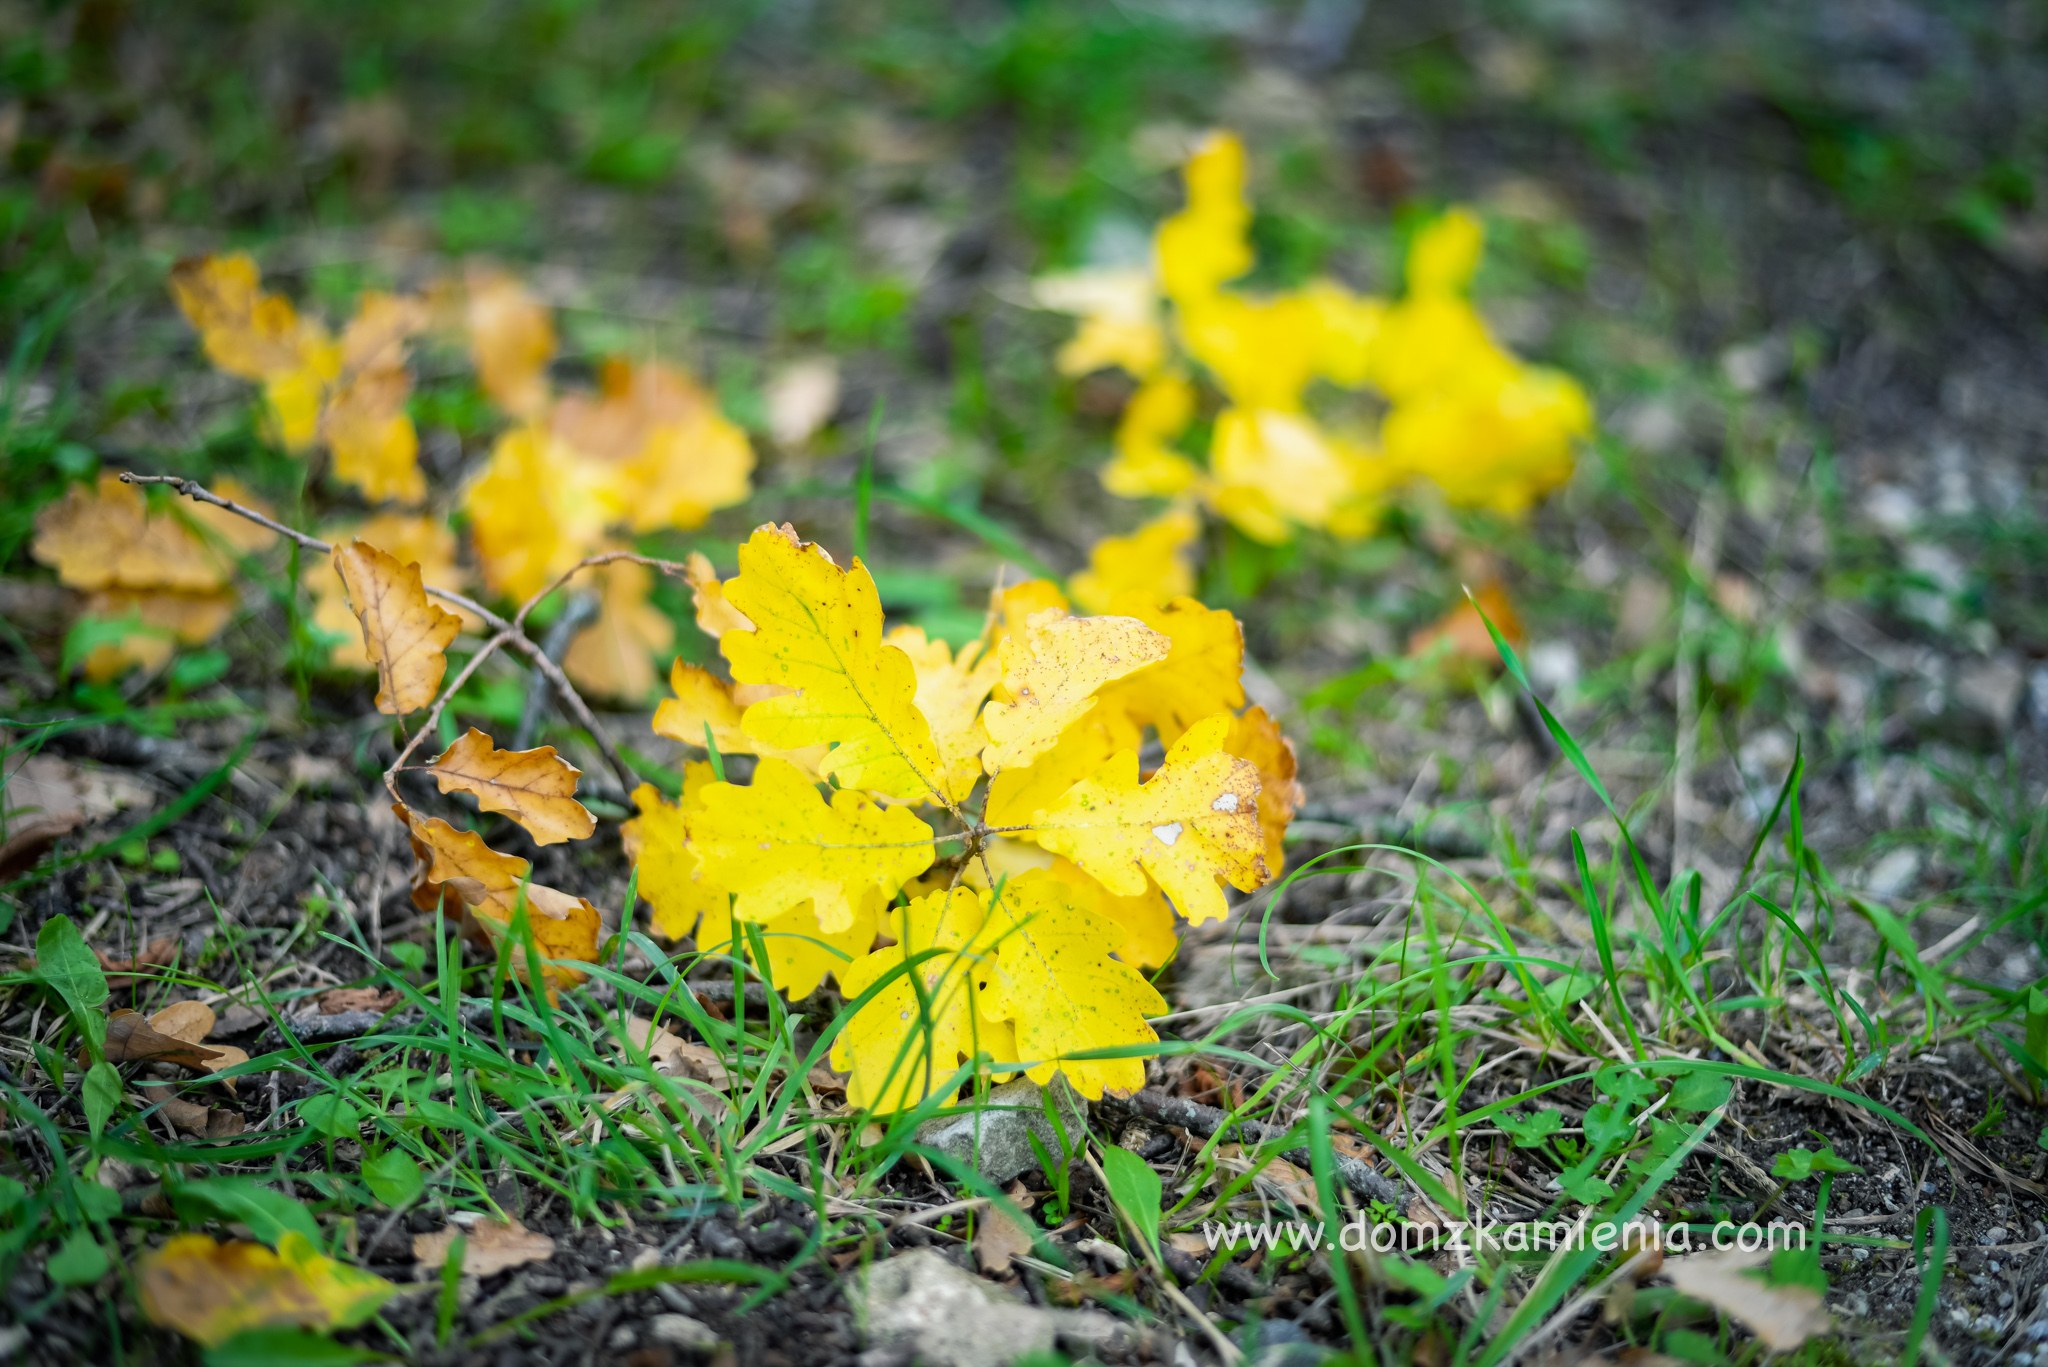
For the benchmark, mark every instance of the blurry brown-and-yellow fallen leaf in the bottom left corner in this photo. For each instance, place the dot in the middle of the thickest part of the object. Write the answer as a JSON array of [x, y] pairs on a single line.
[[214, 1292]]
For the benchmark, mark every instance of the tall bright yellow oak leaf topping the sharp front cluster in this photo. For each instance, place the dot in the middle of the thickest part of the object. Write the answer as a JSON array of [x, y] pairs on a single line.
[[820, 630]]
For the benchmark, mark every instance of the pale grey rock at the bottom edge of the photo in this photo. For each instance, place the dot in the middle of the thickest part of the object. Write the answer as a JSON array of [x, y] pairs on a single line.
[[945, 1317]]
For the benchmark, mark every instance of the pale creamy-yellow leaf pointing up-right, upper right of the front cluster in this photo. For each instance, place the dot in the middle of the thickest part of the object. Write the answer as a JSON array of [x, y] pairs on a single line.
[[1052, 675]]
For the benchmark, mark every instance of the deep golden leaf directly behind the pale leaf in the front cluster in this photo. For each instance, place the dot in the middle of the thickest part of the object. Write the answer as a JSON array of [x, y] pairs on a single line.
[[1201, 675]]
